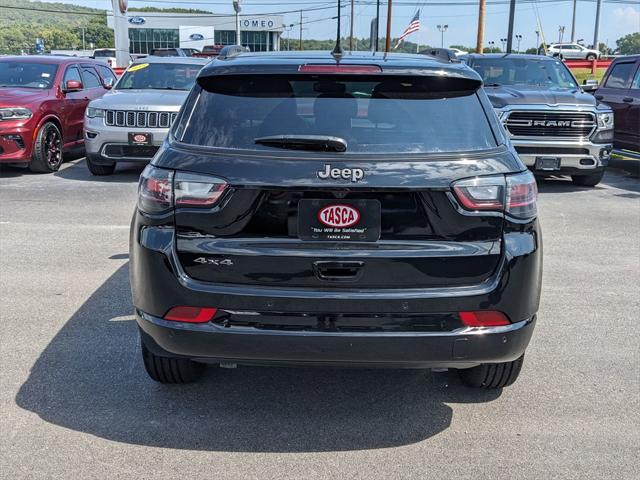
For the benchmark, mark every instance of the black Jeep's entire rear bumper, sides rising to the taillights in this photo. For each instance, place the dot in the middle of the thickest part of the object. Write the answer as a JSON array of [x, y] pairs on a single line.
[[159, 283]]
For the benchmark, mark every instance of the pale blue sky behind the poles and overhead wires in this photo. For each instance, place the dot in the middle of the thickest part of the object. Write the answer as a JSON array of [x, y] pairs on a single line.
[[618, 18]]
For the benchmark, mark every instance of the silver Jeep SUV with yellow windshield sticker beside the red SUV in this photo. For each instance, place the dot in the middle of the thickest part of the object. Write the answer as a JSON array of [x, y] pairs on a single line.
[[130, 123]]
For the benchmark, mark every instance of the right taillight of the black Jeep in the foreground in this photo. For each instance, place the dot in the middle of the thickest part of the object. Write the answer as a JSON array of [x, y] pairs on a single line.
[[515, 195]]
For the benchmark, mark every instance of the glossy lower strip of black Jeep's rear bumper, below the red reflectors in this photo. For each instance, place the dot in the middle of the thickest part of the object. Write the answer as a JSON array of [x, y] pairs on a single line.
[[462, 348]]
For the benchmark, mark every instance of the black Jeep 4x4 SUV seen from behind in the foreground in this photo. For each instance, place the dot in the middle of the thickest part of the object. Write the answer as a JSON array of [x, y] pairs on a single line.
[[362, 212]]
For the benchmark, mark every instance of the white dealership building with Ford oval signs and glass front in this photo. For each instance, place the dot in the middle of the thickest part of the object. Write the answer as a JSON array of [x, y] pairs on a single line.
[[147, 30]]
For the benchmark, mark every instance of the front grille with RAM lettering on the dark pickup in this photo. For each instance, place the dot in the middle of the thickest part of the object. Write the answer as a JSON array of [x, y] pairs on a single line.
[[550, 124]]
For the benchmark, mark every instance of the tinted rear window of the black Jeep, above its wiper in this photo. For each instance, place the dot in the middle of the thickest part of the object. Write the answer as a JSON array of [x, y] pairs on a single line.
[[375, 114]]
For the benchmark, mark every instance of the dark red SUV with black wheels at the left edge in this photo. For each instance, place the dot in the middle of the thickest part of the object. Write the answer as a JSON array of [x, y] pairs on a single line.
[[42, 104]]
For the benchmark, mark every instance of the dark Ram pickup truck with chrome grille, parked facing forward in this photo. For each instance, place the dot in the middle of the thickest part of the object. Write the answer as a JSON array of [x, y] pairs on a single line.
[[556, 128]]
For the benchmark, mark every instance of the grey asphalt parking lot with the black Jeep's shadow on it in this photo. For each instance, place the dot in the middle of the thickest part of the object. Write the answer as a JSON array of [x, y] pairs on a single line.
[[76, 403]]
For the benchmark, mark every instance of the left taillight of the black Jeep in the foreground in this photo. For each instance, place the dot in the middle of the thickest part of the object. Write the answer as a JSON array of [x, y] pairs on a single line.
[[160, 190]]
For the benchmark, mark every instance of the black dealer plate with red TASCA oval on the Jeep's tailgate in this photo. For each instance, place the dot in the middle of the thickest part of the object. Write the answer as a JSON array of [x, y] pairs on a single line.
[[339, 220]]
